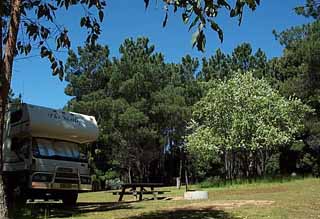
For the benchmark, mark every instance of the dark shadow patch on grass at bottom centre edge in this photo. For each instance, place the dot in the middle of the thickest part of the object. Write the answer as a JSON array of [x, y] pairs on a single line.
[[203, 213]]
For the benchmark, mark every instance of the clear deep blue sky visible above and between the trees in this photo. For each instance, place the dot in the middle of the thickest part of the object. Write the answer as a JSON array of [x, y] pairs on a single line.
[[127, 18]]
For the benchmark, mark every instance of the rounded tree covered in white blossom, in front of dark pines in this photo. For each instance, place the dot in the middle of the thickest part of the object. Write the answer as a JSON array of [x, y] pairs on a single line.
[[241, 122]]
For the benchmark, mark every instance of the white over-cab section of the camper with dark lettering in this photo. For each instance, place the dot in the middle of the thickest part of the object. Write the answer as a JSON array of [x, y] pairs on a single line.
[[38, 121]]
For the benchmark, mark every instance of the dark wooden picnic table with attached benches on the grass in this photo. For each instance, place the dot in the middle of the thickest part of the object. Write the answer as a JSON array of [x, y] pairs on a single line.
[[145, 188]]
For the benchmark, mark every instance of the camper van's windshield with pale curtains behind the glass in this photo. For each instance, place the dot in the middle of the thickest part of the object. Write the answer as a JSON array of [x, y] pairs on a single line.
[[52, 149]]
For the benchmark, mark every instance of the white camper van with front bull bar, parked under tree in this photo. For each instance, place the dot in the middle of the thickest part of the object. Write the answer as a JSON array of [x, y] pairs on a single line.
[[42, 156]]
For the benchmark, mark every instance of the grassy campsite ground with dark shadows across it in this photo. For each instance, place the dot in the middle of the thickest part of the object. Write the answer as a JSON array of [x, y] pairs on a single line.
[[291, 199]]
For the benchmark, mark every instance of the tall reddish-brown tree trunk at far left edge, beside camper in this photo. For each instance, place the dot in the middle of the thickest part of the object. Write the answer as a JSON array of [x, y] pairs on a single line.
[[5, 79]]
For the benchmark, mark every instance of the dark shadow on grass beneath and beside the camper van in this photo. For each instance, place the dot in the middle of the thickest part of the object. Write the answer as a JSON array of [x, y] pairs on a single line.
[[59, 210]]
